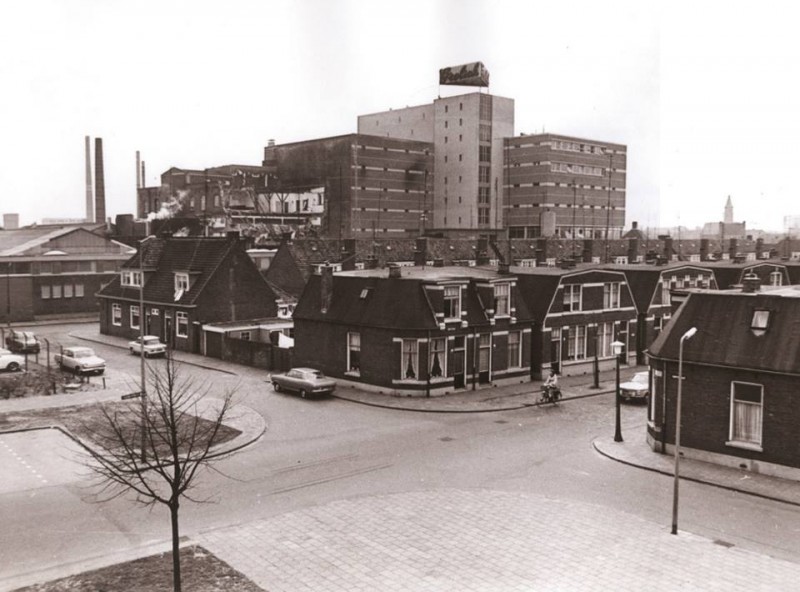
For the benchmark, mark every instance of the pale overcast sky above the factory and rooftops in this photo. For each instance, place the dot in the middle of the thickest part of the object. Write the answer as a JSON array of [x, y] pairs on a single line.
[[704, 94]]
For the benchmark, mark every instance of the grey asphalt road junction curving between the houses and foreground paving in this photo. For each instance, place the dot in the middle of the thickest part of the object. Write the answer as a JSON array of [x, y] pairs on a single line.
[[315, 452]]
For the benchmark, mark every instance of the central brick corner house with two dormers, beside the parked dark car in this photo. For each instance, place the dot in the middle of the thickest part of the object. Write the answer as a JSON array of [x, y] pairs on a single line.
[[414, 330]]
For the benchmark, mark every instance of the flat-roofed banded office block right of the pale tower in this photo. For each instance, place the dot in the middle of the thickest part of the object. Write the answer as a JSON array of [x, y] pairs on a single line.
[[564, 186]]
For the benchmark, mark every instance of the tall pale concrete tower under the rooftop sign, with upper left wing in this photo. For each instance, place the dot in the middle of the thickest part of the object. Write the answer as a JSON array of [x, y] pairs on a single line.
[[467, 133]]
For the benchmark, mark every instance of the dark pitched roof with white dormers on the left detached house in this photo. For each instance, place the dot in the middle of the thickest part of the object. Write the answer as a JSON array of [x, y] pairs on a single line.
[[200, 257]]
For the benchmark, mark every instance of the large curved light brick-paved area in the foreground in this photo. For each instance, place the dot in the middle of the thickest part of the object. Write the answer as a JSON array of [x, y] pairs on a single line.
[[456, 540]]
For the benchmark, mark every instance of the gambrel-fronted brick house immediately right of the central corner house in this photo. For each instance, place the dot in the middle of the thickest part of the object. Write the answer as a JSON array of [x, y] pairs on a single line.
[[577, 314]]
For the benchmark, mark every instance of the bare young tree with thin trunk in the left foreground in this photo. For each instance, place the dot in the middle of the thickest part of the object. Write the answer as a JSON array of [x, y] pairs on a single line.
[[156, 449]]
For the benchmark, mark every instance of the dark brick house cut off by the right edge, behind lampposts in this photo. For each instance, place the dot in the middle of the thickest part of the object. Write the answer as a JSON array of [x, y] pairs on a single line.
[[741, 370]]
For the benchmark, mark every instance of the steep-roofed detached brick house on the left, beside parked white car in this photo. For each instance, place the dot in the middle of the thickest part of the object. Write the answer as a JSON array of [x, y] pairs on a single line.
[[187, 282]]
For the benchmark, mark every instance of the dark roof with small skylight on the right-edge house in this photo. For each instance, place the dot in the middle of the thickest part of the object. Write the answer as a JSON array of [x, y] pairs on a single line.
[[724, 337]]
